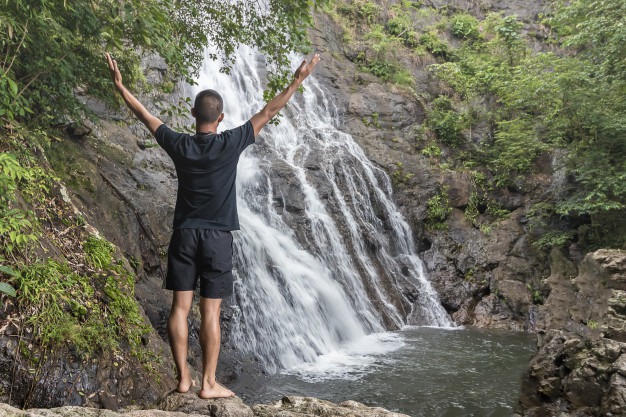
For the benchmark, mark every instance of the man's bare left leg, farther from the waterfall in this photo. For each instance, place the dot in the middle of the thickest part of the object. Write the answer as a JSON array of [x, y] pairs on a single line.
[[178, 333]]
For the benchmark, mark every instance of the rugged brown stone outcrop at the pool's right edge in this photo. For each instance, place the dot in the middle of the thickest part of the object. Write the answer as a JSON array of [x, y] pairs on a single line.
[[580, 365]]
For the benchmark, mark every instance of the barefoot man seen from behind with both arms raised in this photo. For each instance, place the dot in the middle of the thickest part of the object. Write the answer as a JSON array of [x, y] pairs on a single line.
[[205, 214]]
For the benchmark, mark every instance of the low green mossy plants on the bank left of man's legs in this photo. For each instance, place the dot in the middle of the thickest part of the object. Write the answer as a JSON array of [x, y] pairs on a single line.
[[92, 311]]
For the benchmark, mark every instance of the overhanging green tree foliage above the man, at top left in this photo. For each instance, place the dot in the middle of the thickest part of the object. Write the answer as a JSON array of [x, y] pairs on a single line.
[[52, 48]]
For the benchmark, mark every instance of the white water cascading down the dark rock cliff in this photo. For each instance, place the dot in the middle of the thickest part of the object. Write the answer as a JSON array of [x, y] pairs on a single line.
[[323, 256]]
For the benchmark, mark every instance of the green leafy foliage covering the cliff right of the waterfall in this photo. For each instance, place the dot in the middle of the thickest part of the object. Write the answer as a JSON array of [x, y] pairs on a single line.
[[507, 101]]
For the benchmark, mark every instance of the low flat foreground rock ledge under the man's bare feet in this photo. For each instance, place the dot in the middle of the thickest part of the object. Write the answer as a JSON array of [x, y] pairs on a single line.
[[179, 405]]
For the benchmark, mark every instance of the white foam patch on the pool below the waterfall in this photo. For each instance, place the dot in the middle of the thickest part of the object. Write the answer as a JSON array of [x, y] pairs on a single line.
[[351, 361]]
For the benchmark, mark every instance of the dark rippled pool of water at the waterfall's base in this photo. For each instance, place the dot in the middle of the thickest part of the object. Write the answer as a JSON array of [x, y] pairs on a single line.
[[418, 371]]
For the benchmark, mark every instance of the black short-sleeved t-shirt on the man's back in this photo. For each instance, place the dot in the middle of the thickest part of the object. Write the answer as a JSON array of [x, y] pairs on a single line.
[[206, 166]]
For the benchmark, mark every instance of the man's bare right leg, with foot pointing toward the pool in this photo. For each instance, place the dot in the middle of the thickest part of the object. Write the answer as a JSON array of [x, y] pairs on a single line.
[[210, 339]]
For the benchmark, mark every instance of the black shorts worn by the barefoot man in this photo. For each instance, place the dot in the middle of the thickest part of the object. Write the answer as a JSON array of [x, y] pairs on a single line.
[[201, 253]]
